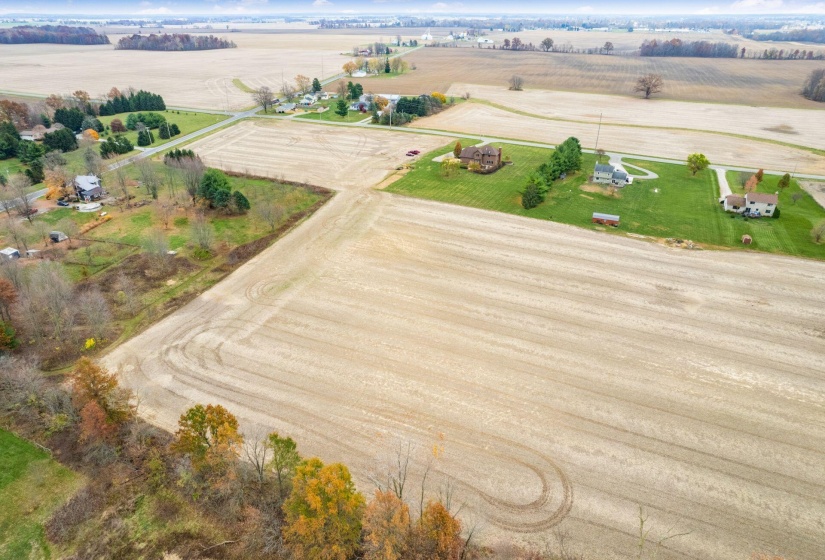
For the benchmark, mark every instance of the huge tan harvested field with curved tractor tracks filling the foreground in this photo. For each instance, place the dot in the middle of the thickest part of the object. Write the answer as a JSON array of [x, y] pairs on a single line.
[[564, 376]]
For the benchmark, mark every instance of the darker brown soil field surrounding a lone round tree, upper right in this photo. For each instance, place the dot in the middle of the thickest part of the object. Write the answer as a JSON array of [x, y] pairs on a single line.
[[733, 81]]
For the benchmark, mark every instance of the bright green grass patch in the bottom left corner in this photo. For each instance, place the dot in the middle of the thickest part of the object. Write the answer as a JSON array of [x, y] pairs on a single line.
[[32, 486]]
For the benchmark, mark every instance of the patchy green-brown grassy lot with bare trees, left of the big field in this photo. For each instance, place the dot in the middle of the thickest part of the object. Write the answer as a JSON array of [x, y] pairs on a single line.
[[140, 286]]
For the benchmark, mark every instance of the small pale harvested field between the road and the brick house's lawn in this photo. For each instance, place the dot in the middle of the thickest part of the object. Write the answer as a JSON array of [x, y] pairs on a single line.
[[331, 156]]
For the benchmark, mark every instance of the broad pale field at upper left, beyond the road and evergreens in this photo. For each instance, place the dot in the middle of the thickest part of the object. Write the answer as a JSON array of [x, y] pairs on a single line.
[[199, 79]]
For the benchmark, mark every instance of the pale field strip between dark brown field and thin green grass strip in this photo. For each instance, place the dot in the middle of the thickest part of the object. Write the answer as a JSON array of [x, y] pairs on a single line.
[[794, 126]]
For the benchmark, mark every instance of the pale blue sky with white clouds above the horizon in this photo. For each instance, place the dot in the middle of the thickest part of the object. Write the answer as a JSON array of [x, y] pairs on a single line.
[[420, 7]]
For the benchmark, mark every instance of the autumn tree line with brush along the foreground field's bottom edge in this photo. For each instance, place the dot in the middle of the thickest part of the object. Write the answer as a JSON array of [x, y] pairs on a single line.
[[258, 488]]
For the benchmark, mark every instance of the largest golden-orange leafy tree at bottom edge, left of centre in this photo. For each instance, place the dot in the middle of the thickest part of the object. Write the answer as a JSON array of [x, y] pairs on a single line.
[[323, 512]]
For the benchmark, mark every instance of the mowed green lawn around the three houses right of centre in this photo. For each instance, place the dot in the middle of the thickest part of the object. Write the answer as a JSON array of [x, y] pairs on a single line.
[[674, 206]]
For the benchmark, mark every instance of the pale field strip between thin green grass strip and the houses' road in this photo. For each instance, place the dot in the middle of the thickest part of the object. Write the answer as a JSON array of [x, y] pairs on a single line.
[[478, 119]]
